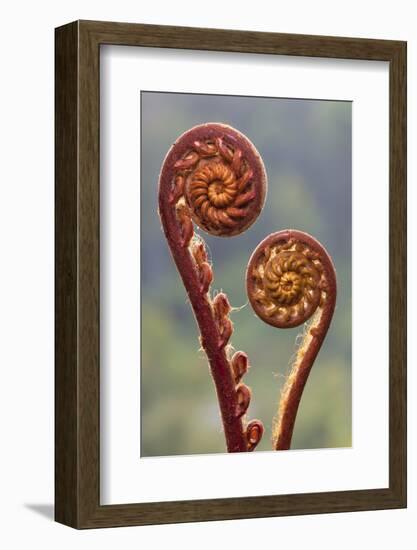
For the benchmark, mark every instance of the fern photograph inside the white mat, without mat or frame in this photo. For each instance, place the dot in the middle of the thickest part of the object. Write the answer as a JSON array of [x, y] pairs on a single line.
[[246, 230]]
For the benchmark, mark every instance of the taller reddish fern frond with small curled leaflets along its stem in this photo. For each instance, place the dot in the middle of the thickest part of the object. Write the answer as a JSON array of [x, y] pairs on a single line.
[[213, 175]]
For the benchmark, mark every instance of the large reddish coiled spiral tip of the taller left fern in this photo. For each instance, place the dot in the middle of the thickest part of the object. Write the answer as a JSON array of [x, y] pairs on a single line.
[[222, 178]]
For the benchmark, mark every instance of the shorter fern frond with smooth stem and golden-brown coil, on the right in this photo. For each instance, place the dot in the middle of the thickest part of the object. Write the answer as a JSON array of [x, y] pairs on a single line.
[[290, 279]]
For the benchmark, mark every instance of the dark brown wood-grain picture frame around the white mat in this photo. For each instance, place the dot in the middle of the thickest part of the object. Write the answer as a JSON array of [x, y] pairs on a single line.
[[77, 401]]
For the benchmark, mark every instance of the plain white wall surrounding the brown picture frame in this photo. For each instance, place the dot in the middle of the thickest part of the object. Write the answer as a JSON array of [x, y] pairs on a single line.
[[26, 273]]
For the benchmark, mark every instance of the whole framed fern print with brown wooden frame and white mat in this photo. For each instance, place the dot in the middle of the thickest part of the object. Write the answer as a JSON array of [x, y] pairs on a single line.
[[230, 274]]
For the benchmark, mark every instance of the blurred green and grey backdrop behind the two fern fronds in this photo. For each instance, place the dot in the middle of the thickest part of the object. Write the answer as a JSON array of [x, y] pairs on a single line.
[[306, 148]]
